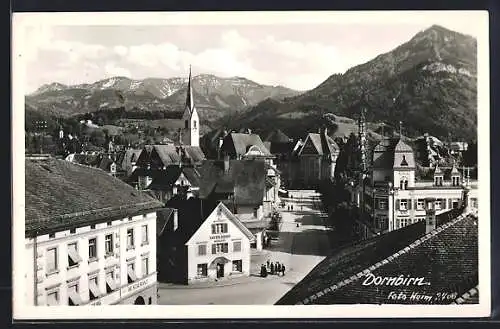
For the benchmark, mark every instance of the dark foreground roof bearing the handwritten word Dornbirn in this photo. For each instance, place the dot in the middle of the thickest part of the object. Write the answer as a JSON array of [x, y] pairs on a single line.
[[446, 257]]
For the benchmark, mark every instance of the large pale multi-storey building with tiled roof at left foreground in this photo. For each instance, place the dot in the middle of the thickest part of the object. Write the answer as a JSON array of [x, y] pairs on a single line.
[[90, 238]]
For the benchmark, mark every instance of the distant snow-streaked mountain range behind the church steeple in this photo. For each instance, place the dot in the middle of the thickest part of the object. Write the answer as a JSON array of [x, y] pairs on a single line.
[[214, 96]]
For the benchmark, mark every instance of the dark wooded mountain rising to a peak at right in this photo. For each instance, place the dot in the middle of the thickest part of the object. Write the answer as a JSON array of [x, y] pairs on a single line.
[[429, 84]]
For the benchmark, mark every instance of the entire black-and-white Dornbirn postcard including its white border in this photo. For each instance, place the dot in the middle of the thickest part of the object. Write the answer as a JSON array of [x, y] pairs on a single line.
[[251, 165]]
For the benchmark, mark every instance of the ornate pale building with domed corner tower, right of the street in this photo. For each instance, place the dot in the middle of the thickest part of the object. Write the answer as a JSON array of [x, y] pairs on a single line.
[[395, 187]]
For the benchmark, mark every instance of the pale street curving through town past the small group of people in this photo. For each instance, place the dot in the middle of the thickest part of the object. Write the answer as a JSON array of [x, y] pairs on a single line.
[[300, 249]]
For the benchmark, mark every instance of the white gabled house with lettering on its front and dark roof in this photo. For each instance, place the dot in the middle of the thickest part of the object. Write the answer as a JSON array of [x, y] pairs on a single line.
[[202, 242]]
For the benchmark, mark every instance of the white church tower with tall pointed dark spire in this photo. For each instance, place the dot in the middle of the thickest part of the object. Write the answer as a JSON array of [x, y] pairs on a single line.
[[191, 131]]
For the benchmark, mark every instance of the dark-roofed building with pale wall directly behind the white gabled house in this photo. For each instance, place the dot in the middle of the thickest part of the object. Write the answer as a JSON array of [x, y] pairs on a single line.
[[241, 186]]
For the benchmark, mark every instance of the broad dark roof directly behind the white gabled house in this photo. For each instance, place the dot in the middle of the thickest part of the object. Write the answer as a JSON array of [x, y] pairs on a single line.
[[245, 179]]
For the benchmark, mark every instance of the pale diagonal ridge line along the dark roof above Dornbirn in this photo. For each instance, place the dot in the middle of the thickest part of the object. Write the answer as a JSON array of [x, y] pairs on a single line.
[[383, 262]]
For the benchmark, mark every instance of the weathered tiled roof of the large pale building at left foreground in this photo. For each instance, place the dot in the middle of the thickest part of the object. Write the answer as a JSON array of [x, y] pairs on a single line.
[[60, 194]]
